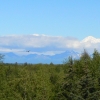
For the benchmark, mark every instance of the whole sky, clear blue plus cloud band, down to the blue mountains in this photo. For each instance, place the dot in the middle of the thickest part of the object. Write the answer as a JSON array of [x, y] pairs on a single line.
[[49, 26]]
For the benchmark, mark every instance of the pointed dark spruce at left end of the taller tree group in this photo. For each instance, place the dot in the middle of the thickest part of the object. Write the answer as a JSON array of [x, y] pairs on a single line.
[[69, 87]]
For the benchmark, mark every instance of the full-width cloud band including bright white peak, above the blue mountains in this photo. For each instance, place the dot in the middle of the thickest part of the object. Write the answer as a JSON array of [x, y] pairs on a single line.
[[43, 44]]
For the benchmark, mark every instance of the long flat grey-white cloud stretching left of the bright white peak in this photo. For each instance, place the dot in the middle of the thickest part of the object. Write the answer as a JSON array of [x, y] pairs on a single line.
[[35, 40]]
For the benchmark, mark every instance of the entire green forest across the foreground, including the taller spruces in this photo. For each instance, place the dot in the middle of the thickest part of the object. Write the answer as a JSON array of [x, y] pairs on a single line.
[[75, 79]]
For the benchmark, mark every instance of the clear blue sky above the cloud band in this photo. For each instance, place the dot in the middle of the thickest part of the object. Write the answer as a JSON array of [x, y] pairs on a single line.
[[74, 18]]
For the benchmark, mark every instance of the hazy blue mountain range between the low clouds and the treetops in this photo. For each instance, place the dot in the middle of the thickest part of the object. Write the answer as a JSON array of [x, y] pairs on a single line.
[[35, 58]]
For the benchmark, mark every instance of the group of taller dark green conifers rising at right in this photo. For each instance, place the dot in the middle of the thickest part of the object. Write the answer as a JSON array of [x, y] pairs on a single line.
[[82, 81]]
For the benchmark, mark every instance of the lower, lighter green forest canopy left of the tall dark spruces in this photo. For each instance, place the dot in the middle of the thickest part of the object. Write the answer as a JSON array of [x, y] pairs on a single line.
[[29, 82]]
